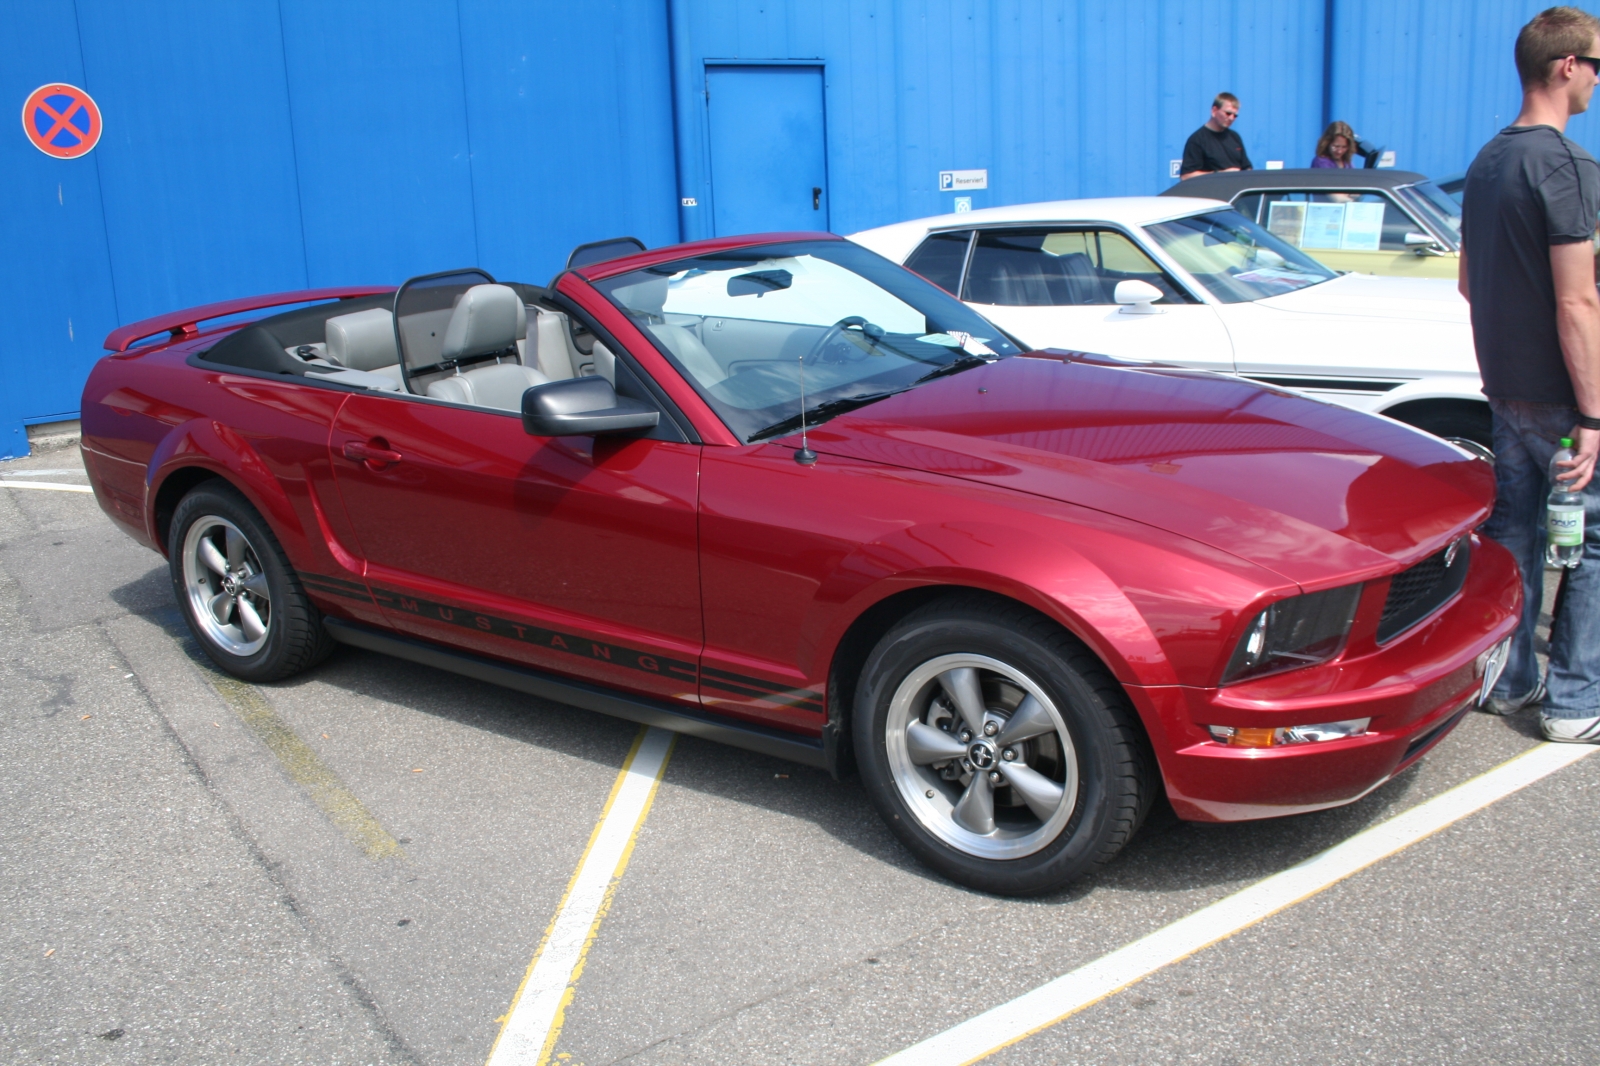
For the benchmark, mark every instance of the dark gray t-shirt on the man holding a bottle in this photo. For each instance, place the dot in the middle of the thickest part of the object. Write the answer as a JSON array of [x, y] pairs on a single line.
[[1530, 188]]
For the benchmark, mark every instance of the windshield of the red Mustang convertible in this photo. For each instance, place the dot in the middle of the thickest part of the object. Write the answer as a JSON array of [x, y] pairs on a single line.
[[754, 327]]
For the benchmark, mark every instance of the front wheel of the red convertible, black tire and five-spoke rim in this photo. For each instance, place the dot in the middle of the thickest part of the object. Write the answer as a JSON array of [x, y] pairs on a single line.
[[998, 748]]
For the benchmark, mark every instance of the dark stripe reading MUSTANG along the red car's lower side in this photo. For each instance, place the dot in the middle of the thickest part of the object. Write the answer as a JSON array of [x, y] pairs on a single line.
[[570, 644]]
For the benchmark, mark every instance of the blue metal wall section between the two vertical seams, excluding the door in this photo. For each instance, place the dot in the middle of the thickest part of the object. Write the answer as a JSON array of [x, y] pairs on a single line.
[[1055, 98]]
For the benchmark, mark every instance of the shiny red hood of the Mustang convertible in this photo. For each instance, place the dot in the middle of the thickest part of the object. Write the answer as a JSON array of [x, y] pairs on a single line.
[[1318, 494]]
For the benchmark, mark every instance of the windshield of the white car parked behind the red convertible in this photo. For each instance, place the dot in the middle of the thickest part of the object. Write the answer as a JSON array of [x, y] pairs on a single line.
[[1234, 258]]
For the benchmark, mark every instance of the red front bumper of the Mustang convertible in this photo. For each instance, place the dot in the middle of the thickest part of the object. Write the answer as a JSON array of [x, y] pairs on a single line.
[[1415, 691]]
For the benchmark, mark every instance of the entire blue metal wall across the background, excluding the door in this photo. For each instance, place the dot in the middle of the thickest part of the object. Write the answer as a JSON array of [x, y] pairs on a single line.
[[270, 145]]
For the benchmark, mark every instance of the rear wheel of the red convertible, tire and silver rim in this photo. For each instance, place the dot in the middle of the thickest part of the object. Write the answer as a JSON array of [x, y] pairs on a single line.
[[284, 631]]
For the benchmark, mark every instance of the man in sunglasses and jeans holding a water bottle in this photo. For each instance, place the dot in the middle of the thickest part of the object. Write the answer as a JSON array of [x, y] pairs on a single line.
[[1529, 271]]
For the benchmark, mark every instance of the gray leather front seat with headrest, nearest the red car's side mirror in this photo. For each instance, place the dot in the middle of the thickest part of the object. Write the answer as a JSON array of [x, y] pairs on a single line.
[[487, 323]]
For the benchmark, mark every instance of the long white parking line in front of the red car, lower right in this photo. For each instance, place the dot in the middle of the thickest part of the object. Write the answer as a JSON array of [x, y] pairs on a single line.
[[1046, 1006]]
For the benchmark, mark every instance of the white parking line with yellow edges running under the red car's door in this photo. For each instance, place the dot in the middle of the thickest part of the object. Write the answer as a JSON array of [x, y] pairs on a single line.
[[535, 1017]]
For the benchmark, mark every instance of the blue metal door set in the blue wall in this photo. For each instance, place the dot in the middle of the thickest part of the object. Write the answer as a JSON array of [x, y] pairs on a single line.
[[769, 162]]
